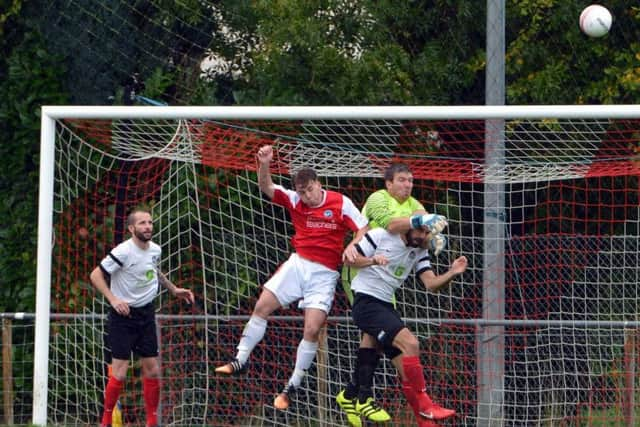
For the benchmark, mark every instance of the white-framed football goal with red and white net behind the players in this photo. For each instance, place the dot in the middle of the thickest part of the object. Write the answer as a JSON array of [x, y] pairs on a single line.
[[540, 330]]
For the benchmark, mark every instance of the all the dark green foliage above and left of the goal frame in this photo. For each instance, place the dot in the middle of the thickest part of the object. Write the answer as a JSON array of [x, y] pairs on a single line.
[[319, 52]]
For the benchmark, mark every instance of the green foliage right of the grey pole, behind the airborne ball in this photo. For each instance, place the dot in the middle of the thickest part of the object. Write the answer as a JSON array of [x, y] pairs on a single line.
[[549, 61]]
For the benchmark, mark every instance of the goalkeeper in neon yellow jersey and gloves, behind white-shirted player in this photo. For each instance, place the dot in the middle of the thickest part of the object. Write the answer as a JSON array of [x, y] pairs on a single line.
[[397, 211]]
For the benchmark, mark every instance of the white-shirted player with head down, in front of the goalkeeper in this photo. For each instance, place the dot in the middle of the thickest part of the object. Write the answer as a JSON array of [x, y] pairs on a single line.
[[386, 261]]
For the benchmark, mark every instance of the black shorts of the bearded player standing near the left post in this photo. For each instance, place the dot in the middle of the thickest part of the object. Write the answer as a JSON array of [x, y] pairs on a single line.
[[135, 333]]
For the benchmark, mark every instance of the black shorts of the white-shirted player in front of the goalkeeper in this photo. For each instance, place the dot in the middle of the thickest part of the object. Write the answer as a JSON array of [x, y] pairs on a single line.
[[377, 318]]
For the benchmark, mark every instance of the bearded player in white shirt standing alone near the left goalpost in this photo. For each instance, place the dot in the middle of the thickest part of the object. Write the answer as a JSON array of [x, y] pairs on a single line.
[[134, 275]]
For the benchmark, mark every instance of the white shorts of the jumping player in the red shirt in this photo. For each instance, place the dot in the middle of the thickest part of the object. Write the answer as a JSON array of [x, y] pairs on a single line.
[[309, 281]]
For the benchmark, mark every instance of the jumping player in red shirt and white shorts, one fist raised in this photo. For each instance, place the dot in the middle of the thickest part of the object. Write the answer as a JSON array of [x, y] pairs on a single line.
[[321, 220]]
